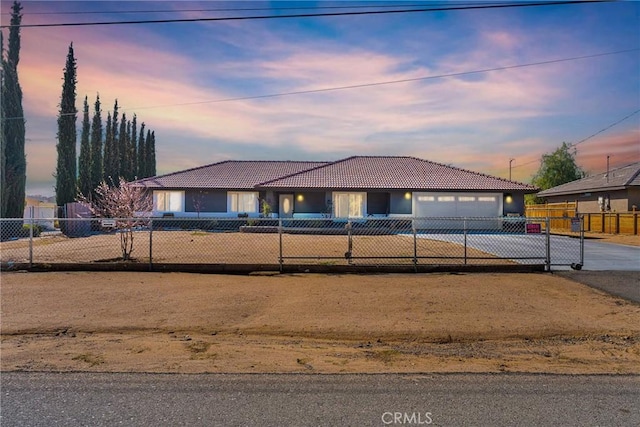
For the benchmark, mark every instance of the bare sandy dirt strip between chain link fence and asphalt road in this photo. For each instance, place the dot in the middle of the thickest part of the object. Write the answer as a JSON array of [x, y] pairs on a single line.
[[174, 322]]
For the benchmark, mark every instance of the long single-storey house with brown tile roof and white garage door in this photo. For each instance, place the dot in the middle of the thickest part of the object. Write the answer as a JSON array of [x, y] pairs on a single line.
[[355, 187]]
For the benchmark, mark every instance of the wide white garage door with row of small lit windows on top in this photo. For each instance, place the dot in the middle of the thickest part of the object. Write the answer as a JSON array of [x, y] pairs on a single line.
[[458, 205]]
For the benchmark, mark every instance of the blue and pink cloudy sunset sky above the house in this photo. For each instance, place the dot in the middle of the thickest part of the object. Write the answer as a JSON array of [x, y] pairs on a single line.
[[326, 88]]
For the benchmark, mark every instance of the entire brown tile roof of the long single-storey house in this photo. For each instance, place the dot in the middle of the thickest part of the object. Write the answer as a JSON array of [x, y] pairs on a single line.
[[357, 172]]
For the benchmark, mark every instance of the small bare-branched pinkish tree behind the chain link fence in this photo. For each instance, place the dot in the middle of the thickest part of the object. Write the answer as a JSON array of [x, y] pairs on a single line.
[[126, 204]]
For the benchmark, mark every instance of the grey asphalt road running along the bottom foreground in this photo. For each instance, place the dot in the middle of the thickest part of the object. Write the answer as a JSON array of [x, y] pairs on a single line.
[[81, 399]]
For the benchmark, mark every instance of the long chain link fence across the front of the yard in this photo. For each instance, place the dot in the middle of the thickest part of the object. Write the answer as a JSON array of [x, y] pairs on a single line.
[[280, 242]]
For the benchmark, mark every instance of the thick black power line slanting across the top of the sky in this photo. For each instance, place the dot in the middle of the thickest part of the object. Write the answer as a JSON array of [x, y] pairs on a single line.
[[313, 15]]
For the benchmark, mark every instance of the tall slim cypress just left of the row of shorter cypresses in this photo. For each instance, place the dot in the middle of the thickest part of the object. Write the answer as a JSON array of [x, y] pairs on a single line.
[[66, 147]]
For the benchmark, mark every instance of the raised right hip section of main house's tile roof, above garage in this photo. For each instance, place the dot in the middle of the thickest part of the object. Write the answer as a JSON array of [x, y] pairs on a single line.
[[386, 172]]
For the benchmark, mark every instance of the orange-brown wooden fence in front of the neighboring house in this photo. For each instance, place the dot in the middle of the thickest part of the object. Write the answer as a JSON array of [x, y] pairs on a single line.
[[597, 222]]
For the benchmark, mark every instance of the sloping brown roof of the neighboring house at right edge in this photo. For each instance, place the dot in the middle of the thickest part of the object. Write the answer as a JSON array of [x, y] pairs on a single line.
[[620, 178]]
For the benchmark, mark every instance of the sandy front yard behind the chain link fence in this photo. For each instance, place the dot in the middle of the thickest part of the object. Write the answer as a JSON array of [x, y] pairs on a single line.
[[239, 248]]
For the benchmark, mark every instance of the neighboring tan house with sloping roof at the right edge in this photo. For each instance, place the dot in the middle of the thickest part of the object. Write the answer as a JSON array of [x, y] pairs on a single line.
[[617, 191]]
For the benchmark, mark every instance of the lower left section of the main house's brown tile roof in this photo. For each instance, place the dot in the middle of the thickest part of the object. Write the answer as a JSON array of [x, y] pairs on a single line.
[[230, 174]]
